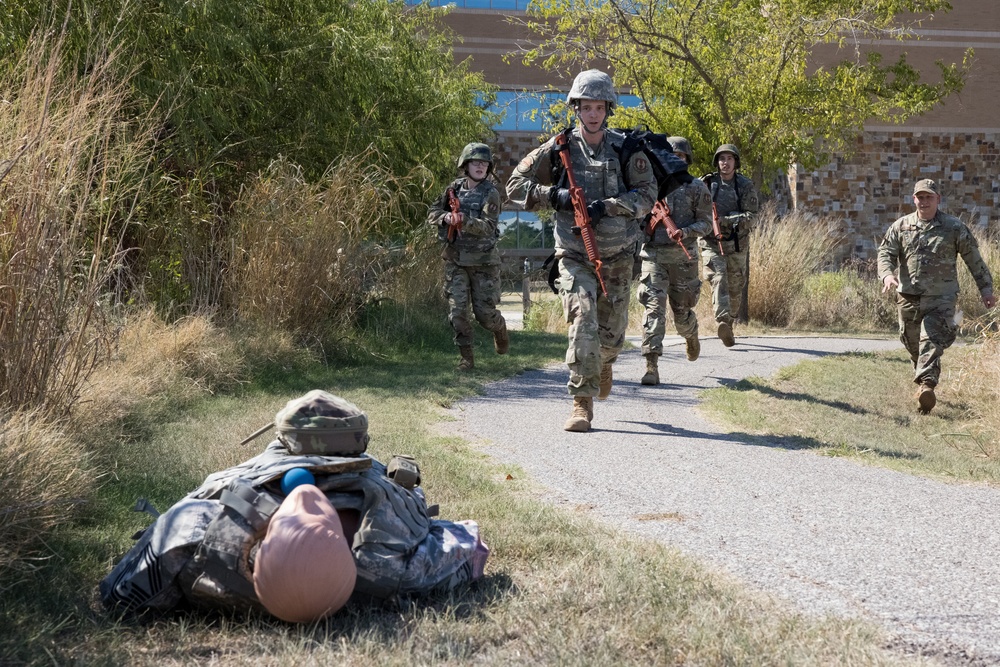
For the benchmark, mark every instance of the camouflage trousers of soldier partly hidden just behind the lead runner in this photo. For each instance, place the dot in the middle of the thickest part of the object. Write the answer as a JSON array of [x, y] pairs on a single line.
[[668, 277]]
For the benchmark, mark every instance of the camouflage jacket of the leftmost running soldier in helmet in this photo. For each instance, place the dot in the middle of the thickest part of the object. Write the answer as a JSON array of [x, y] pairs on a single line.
[[476, 245]]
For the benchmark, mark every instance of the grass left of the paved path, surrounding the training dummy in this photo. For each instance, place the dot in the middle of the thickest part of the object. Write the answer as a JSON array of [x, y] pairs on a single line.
[[560, 588]]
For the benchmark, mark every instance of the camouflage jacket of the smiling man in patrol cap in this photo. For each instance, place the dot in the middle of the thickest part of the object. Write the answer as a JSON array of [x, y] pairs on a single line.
[[925, 253]]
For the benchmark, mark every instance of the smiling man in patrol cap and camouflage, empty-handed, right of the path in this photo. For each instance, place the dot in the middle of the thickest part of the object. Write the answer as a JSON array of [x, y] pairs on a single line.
[[918, 257]]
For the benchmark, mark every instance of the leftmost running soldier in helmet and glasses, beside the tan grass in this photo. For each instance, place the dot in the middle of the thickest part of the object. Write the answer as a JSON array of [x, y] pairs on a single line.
[[471, 259]]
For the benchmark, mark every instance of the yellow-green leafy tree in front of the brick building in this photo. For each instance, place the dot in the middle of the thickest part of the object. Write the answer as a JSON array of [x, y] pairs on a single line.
[[743, 71]]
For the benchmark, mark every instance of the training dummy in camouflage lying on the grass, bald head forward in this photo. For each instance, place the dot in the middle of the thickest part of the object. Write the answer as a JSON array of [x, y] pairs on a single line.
[[298, 529]]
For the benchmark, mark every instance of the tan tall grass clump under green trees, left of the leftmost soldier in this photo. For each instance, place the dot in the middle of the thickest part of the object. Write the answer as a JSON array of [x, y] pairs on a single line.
[[307, 257]]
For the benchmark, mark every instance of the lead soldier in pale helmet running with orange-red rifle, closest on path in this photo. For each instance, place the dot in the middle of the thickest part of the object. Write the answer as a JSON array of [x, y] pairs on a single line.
[[596, 322]]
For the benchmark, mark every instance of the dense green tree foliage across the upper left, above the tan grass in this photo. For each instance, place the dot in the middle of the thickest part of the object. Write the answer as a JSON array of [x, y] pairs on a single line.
[[237, 84]]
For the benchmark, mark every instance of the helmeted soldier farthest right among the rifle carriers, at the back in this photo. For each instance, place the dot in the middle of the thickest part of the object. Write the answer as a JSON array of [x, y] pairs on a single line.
[[736, 202]]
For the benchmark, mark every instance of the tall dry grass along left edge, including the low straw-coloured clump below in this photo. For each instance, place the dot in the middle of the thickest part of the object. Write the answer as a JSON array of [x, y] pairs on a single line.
[[73, 162]]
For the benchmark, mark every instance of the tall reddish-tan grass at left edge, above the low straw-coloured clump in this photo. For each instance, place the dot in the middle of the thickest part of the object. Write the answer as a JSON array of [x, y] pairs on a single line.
[[72, 165]]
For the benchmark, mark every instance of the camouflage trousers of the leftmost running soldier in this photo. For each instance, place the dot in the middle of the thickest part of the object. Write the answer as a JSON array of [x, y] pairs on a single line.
[[479, 285]]
